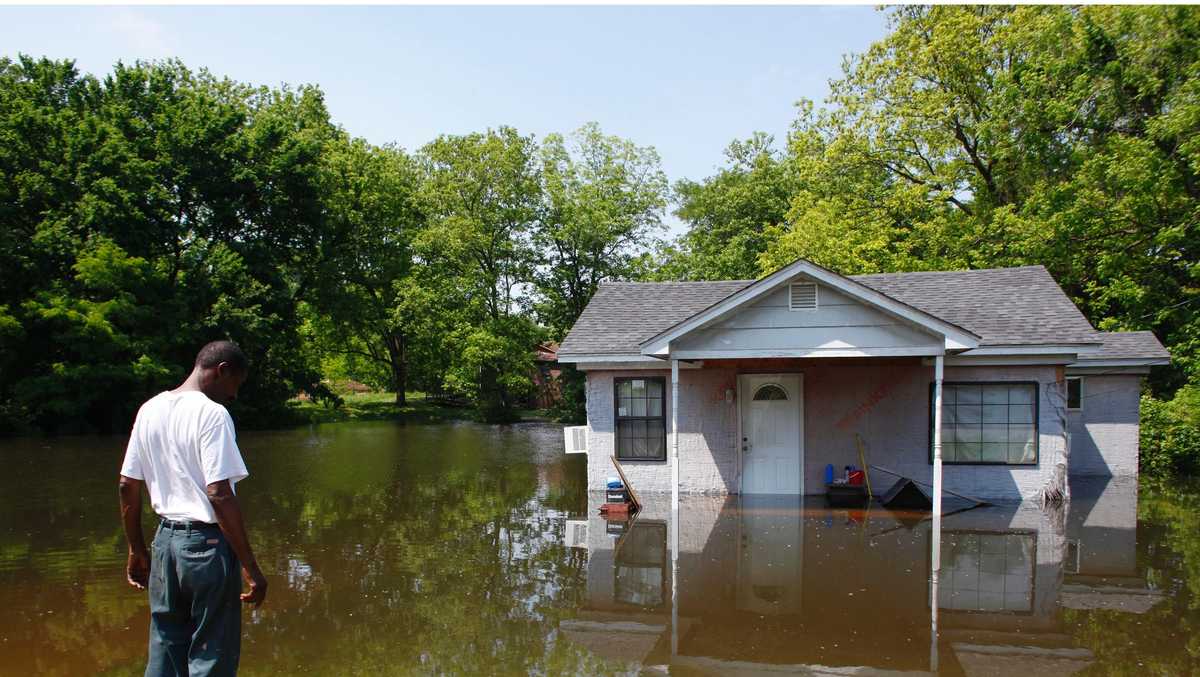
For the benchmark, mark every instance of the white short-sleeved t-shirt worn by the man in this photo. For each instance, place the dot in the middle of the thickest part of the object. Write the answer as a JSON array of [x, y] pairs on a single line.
[[183, 442]]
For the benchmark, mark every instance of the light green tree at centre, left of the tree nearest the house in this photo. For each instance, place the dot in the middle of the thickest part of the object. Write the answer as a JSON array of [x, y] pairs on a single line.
[[482, 195]]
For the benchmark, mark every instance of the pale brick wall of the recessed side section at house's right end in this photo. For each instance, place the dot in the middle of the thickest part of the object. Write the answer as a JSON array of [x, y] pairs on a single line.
[[1105, 434]]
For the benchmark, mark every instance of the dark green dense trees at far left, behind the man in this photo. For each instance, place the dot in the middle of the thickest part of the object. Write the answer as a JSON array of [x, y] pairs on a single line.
[[143, 215]]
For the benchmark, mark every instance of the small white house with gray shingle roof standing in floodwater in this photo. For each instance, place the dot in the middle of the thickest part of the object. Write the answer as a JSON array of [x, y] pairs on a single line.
[[991, 384]]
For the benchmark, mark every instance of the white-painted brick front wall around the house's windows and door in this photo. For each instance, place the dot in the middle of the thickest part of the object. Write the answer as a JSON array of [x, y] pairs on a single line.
[[885, 403]]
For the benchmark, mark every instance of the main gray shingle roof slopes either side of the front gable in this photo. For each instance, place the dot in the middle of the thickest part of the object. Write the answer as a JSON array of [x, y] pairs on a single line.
[[1004, 307]]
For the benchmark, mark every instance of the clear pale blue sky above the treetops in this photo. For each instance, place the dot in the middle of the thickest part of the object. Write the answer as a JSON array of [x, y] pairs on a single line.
[[685, 80]]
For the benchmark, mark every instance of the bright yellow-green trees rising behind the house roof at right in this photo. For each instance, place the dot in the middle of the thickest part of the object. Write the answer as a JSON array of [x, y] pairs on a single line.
[[974, 137]]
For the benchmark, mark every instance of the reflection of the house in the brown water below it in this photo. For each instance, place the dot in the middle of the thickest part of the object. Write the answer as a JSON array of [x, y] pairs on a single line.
[[778, 586]]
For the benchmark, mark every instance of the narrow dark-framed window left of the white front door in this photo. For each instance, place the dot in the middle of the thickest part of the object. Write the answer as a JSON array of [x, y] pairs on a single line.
[[641, 422]]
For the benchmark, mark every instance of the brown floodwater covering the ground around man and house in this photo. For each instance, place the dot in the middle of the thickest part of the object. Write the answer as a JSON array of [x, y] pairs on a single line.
[[477, 550]]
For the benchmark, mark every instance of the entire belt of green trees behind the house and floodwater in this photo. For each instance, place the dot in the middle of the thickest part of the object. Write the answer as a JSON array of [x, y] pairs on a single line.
[[157, 208]]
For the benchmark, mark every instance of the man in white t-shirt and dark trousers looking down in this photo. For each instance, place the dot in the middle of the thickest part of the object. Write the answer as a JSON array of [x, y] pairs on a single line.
[[184, 451]]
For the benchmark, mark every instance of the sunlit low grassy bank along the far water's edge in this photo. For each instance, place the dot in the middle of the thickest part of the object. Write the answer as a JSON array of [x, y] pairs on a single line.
[[382, 406]]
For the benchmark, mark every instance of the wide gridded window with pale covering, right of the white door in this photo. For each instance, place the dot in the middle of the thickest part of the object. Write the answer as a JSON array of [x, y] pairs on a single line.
[[989, 423]]
